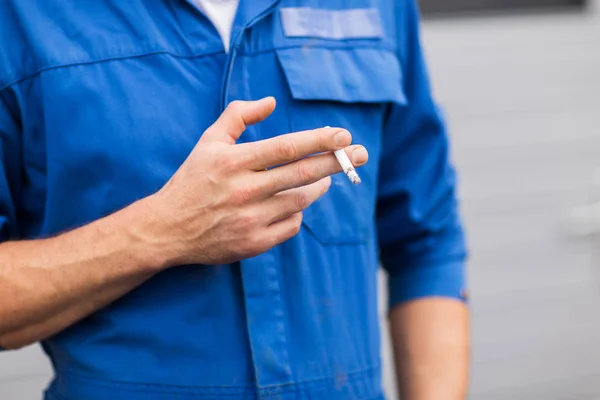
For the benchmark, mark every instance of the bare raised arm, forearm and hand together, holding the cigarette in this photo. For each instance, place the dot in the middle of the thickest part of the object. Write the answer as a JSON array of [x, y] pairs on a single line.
[[226, 202]]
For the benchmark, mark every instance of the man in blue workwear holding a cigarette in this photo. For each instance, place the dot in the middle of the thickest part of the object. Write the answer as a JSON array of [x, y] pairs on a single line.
[[165, 237]]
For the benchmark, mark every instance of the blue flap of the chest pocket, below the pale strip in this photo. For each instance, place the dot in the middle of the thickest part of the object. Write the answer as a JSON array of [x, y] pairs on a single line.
[[355, 75]]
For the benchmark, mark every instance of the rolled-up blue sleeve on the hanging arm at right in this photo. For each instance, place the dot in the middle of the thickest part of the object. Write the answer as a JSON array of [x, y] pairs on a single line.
[[421, 240]]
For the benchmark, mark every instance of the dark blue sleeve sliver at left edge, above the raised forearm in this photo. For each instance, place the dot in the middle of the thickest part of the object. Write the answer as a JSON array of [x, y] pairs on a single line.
[[10, 169]]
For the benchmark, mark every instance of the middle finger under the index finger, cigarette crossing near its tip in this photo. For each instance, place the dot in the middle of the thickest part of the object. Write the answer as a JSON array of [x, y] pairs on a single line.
[[306, 171]]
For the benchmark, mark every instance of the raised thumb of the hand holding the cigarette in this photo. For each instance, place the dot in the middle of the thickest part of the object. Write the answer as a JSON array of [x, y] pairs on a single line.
[[236, 117]]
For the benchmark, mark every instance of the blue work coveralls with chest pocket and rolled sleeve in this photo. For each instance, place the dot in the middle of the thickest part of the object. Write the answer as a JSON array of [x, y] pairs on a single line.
[[100, 102]]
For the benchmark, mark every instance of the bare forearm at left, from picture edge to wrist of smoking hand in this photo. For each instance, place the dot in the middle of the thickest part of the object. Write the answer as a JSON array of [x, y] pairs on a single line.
[[47, 285]]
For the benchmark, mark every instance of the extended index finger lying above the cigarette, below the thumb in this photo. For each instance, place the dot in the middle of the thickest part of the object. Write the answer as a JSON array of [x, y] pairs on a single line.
[[291, 147]]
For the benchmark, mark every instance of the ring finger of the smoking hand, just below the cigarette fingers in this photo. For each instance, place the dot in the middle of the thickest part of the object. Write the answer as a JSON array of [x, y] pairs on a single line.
[[292, 201]]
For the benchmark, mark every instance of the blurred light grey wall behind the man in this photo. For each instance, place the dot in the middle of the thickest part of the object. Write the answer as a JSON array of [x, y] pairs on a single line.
[[520, 89]]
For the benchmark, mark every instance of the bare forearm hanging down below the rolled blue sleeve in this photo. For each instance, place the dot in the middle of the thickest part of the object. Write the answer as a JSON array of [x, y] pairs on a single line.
[[431, 346]]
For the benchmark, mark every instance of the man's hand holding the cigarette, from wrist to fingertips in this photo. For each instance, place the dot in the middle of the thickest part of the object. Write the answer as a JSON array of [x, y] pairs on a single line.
[[229, 202]]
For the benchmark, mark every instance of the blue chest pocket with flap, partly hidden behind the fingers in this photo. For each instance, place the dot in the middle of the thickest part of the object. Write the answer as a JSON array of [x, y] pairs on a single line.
[[349, 88]]
